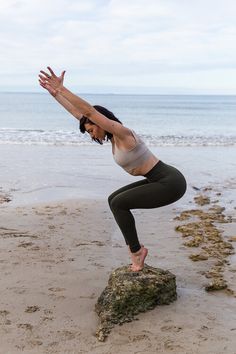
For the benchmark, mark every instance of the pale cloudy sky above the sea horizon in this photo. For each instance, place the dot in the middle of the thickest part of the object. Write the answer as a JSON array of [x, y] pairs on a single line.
[[120, 46]]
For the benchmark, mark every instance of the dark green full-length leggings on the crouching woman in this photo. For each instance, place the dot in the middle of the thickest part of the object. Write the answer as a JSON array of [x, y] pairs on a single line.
[[162, 185]]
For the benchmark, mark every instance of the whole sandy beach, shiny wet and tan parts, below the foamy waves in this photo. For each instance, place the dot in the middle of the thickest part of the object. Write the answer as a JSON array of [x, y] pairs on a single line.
[[59, 244]]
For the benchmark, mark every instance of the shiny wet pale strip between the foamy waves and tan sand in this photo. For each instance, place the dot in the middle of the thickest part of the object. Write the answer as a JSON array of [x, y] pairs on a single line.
[[50, 173]]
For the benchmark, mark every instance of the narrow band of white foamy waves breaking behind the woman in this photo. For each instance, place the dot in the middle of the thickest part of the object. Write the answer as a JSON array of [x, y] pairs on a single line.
[[61, 137]]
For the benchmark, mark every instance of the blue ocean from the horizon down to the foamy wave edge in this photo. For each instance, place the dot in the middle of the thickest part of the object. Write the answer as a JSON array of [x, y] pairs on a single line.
[[161, 120]]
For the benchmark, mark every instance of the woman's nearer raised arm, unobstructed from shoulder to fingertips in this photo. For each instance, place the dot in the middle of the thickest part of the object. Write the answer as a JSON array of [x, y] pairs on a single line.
[[58, 89]]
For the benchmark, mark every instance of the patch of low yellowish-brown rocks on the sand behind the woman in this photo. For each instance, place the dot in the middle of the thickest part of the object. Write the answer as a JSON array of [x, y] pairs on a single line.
[[203, 231]]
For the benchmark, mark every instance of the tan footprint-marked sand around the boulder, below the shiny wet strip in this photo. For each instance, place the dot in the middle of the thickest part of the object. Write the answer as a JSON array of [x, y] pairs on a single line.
[[55, 261]]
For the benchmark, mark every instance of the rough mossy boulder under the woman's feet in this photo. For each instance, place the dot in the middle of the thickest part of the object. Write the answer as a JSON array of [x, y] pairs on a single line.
[[129, 293]]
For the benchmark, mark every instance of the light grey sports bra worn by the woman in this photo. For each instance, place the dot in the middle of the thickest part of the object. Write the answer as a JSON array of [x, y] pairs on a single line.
[[133, 158]]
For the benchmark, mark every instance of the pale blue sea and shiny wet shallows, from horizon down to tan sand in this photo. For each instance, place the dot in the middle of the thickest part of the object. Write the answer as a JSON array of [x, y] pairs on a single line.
[[45, 157]]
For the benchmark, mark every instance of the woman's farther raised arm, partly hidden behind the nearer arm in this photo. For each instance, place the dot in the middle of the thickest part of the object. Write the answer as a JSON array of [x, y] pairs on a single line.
[[60, 99]]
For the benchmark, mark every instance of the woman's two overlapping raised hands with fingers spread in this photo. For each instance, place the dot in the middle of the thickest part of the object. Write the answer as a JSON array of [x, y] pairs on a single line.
[[52, 83]]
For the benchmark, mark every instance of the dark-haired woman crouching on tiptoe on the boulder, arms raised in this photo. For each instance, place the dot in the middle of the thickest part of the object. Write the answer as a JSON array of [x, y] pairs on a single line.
[[162, 185]]
